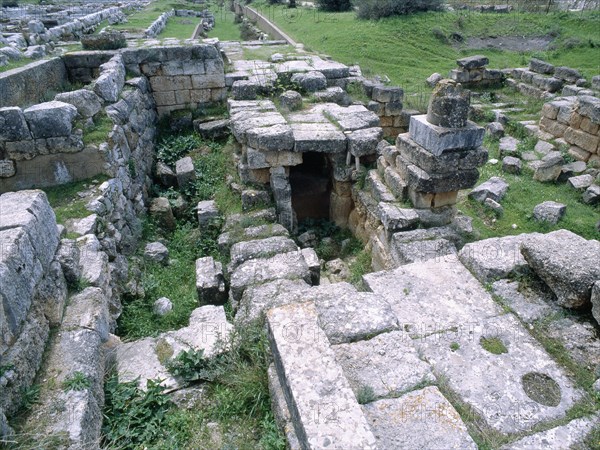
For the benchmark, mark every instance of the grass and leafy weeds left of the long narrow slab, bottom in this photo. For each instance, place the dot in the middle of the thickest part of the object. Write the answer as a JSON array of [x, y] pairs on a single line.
[[231, 412]]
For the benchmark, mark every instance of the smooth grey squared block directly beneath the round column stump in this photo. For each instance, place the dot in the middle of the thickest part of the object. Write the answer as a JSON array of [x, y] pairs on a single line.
[[438, 140]]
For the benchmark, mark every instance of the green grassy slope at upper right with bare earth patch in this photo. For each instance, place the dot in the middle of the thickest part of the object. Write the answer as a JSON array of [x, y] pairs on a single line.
[[405, 49]]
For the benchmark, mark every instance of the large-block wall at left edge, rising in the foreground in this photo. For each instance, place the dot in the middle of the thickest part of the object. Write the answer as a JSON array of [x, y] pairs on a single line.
[[33, 290]]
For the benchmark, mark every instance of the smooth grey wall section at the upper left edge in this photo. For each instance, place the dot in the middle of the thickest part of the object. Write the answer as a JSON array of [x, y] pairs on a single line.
[[27, 85]]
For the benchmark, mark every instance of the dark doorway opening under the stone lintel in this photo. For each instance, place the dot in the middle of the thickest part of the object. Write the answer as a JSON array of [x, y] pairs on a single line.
[[311, 186]]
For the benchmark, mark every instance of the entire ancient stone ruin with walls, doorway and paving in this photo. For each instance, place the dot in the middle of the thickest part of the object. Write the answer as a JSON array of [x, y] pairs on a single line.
[[443, 338]]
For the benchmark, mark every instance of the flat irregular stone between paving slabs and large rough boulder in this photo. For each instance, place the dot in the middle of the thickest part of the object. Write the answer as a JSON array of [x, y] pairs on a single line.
[[528, 305]]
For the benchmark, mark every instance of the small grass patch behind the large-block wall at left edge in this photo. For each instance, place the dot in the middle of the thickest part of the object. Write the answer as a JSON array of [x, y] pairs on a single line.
[[66, 203]]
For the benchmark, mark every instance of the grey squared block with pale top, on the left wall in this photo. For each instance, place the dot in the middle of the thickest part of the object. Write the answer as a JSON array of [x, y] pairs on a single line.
[[50, 119]]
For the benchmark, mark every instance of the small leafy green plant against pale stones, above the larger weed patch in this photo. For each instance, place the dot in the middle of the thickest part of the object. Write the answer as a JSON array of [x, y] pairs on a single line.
[[192, 365]]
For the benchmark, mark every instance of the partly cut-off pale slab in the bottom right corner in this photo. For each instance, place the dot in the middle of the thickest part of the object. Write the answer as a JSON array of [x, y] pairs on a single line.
[[571, 435]]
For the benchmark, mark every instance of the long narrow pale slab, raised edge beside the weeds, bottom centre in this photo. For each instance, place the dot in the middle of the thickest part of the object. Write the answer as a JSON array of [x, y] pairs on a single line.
[[322, 405]]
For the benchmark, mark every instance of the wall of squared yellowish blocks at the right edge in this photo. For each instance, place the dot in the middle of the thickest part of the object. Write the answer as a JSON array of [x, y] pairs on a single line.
[[575, 121]]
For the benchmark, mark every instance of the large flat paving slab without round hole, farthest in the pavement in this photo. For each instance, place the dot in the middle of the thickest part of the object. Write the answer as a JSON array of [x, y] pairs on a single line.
[[411, 290]]
